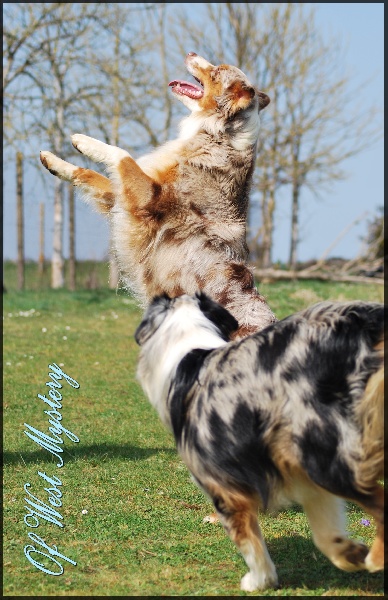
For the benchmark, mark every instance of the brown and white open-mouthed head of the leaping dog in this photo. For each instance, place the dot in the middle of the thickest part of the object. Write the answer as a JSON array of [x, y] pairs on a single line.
[[222, 88]]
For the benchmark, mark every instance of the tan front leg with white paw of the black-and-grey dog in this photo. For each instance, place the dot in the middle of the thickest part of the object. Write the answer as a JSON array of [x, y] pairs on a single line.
[[238, 515]]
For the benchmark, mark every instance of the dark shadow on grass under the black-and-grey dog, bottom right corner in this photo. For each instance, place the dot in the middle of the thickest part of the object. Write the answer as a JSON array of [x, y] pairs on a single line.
[[301, 565]]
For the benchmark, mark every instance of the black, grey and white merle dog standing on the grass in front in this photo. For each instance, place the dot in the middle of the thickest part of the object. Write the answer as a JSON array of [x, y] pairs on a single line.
[[292, 413]]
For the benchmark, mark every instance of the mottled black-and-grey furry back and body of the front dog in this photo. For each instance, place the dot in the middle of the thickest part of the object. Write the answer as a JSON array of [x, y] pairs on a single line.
[[304, 393]]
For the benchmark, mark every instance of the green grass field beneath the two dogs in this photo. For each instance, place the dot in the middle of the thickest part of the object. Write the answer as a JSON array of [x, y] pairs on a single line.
[[133, 518]]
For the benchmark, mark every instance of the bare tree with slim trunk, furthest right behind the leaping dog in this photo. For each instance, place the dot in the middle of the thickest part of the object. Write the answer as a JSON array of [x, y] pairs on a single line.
[[324, 124]]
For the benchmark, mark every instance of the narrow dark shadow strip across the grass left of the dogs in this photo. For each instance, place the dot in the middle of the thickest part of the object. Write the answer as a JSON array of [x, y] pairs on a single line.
[[100, 452]]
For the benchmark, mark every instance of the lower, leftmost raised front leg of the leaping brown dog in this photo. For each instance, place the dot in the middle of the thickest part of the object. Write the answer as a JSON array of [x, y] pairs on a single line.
[[92, 185]]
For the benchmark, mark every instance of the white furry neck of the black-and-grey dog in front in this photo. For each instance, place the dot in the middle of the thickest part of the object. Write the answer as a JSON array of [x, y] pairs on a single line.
[[161, 355]]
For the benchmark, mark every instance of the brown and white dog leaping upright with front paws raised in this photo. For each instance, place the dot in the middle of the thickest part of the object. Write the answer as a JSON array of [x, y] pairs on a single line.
[[179, 214]]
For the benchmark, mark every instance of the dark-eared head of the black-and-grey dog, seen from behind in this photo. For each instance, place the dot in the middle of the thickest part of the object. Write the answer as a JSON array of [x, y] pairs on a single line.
[[186, 313]]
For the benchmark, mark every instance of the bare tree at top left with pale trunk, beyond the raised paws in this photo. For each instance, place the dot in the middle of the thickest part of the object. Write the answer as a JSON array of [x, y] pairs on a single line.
[[43, 46]]
